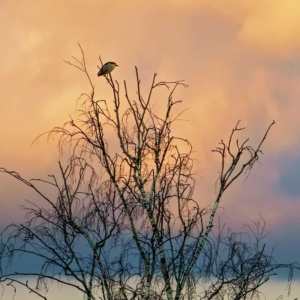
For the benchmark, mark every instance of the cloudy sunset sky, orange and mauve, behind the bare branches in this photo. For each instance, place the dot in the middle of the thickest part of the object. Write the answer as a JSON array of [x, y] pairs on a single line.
[[241, 60]]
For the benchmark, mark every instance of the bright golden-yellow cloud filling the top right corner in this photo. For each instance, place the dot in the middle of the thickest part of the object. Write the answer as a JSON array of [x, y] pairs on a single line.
[[272, 27]]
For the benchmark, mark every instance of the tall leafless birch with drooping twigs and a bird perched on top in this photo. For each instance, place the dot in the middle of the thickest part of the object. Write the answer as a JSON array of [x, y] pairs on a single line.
[[125, 223]]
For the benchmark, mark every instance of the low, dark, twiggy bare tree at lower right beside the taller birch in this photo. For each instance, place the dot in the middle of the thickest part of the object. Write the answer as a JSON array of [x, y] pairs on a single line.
[[236, 264]]
